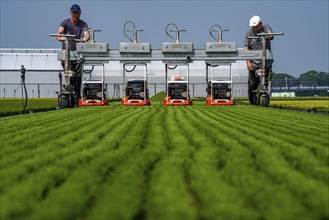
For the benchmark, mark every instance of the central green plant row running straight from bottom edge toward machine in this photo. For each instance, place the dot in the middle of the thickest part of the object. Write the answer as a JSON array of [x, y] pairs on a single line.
[[167, 179]]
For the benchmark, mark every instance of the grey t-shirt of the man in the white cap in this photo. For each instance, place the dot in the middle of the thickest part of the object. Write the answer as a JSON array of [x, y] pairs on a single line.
[[256, 44]]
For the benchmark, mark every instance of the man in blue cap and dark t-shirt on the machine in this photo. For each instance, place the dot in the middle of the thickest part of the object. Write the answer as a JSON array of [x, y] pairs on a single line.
[[79, 28]]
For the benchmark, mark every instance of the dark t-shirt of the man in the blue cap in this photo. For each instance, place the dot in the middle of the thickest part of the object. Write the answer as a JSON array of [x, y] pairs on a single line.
[[73, 29]]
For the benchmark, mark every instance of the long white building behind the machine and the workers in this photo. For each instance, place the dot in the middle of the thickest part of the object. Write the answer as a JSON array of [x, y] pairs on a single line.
[[42, 70]]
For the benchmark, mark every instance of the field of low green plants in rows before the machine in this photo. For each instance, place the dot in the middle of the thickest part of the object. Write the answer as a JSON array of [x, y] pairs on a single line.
[[196, 162]]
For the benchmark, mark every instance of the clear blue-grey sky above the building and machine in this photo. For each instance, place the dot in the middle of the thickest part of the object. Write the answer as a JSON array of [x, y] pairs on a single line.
[[303, 47]]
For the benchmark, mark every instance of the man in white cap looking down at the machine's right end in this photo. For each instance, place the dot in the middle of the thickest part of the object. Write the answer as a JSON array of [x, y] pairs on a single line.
[[256, 26]]
